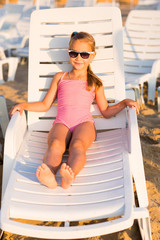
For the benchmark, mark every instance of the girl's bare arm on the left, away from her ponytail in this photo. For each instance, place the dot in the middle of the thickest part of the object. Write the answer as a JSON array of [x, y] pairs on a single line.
[[43, 105]]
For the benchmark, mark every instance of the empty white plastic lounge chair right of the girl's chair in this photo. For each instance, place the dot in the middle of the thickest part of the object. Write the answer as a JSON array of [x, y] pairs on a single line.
[[142, 49]]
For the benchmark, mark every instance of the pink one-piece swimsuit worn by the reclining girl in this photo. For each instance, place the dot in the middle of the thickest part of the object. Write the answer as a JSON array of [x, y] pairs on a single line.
[[74, 102]]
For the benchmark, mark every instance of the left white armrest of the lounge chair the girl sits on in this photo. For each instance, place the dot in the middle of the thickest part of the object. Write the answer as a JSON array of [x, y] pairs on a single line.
[[13, 139]]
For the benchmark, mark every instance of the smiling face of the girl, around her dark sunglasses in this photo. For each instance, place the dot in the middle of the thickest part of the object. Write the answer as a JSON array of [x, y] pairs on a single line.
[[78, 62]]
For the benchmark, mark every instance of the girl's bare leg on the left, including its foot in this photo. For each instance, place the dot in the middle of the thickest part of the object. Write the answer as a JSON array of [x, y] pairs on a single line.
[[58, 138]]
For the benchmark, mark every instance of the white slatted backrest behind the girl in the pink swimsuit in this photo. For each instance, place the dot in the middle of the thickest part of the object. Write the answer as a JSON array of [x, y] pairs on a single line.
[[49, 44]]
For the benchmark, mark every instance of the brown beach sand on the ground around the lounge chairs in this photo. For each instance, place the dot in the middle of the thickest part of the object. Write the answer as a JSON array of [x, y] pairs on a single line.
[[149, 129]]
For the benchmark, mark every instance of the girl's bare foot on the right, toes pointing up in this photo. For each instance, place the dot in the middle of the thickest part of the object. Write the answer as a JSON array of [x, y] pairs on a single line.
[[67, 175]]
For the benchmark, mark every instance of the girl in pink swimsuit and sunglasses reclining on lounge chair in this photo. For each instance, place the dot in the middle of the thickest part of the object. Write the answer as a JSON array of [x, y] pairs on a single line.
[[74, 125]]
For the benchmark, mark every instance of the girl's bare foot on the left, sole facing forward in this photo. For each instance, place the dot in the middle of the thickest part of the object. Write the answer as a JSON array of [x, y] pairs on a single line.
[[45, 176]]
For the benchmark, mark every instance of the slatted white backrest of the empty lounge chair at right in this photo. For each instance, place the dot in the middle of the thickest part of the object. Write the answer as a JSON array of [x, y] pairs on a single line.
[[141, 41]]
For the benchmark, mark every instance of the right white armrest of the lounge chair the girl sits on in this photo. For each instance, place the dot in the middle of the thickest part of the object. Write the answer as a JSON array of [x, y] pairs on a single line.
[[136, 158]]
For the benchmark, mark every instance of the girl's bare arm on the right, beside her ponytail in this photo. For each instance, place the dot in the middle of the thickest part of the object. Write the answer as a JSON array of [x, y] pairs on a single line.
[[109, 111]]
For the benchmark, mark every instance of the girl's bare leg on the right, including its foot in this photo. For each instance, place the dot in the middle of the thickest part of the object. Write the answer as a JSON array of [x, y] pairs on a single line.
[[83, 135]]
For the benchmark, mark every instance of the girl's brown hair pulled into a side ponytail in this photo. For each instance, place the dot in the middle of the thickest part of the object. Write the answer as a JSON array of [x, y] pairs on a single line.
[[92, 79]]
